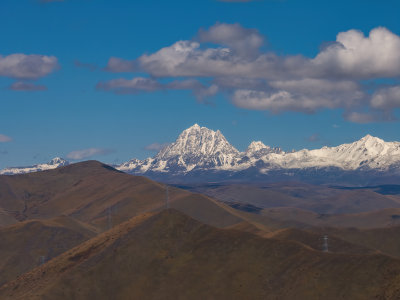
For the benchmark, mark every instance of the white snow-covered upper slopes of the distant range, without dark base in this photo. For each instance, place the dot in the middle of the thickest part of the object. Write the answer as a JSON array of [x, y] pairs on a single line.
[[201, 149]]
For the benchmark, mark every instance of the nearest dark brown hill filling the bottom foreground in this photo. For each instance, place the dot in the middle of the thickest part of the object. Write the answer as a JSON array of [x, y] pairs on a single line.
[[172, 256]]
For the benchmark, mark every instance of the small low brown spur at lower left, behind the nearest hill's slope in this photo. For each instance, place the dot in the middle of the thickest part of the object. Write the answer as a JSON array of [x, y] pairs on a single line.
[[25, 245]]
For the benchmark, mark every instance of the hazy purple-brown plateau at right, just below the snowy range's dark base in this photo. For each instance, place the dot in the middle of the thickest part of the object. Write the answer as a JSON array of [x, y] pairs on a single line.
[[319, 199]]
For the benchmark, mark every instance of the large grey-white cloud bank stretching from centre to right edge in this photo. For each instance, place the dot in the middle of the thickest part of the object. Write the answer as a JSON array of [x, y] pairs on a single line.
[[229, 56]]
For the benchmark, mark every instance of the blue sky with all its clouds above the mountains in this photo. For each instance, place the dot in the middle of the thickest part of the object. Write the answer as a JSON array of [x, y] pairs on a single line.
[[115, 80]]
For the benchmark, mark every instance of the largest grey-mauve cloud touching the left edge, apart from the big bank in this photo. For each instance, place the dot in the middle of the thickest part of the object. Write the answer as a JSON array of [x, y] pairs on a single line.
[[22, 66]]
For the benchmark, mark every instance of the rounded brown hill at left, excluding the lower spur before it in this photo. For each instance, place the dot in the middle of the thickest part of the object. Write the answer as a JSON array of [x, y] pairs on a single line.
[[98, 194]]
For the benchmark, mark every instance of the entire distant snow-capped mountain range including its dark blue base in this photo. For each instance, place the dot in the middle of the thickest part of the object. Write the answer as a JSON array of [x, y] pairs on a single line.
[[201, 154]]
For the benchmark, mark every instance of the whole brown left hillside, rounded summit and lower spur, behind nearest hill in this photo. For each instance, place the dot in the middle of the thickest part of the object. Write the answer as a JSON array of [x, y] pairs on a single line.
[[58, 209]]
